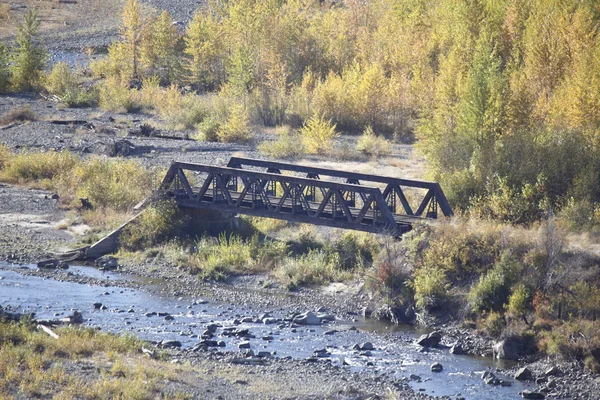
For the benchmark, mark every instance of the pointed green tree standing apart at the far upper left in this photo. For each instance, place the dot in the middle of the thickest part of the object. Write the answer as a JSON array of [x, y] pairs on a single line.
[[29, 56]]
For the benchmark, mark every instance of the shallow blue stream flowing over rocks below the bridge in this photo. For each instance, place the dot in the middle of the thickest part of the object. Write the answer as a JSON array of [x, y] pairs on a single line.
[[394, 354]]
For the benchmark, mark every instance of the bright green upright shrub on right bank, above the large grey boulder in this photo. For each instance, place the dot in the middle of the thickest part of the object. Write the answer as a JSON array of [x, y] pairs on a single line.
[[493, 289]]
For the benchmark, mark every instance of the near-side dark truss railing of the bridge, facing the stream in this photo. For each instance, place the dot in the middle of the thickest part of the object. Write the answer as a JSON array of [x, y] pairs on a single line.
[[276, 195]]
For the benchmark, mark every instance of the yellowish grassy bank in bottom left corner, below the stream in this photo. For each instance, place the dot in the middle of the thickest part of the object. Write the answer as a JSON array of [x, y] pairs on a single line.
[[81, 363]]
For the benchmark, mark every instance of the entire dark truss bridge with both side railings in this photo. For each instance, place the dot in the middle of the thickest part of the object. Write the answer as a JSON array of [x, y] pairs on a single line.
[[306, 194]]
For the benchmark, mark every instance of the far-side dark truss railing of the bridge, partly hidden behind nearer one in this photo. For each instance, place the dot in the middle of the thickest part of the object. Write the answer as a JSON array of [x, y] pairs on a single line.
[[393, 193]]
